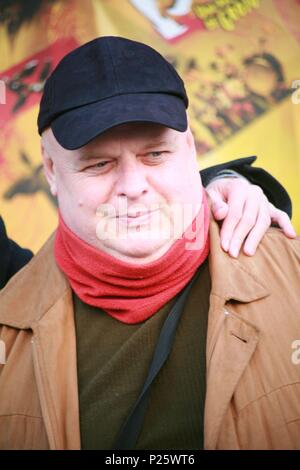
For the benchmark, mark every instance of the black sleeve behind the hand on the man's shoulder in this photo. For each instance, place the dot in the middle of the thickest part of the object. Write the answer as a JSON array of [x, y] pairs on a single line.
[[274, 191]]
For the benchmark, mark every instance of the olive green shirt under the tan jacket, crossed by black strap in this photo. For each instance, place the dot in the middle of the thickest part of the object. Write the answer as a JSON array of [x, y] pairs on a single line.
[[113, 359]]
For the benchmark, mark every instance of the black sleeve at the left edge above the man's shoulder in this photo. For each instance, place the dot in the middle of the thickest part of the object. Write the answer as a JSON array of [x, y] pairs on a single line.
[[12, 256]]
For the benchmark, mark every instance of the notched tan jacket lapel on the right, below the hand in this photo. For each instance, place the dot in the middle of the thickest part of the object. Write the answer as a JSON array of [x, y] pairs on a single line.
[[231, 339]]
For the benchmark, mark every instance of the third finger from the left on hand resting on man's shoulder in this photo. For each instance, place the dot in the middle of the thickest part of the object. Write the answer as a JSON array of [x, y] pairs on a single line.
[[252, 208]]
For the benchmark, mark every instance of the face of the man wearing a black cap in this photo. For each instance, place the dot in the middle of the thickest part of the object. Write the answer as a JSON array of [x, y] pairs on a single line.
[[130, 192]]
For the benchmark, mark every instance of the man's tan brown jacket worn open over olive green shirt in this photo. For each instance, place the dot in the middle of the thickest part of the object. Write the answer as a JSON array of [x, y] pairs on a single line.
[[253, 352]]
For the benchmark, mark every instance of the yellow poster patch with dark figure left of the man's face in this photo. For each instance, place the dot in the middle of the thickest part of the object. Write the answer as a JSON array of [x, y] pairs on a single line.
[[26, 205]]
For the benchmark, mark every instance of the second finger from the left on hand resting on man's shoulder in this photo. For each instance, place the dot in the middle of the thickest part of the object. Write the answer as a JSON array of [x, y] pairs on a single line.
[[236, 202]]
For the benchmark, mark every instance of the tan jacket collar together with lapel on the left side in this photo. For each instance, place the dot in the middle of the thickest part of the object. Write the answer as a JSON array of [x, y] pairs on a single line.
[[47, 310]]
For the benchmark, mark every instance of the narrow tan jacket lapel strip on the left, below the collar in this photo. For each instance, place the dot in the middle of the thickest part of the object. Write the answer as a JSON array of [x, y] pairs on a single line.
[[54, 346]]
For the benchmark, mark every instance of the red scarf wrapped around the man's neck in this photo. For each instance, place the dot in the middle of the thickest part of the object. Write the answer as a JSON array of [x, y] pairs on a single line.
[[131, 293]]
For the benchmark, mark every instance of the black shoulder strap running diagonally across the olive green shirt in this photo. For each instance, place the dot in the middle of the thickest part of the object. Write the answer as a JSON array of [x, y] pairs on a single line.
[[132, 426]]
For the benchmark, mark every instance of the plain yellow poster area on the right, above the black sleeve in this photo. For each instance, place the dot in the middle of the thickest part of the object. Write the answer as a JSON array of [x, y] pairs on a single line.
[[275, 140]]
